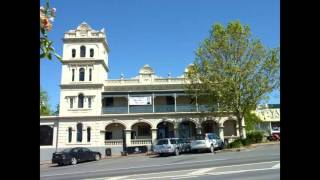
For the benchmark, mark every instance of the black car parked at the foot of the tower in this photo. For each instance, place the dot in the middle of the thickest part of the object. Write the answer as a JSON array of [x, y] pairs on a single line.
[[75, 155]]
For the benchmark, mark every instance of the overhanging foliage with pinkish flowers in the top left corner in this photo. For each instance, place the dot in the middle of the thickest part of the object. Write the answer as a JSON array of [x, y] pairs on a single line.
[[46, 19]]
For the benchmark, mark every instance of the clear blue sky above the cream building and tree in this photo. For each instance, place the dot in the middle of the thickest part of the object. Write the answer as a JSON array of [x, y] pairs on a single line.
[[161, 33]]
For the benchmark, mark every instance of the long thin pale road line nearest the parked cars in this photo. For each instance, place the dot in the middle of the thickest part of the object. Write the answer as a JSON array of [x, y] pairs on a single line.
[[159, 165]]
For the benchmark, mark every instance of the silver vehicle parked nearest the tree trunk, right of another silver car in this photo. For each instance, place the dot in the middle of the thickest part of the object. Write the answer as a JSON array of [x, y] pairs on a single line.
[[208, 141]]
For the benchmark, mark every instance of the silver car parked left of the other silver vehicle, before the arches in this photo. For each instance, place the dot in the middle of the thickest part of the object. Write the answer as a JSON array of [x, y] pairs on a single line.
[[168, 146]]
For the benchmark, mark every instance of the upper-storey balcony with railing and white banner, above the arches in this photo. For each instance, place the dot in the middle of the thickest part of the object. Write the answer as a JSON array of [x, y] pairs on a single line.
[[154, 102]]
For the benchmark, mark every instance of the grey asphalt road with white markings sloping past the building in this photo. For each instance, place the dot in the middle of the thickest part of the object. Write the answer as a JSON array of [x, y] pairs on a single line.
[[262, 162]]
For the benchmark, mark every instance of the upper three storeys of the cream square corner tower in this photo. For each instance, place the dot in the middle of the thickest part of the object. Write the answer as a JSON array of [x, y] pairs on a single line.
[[84, 70]]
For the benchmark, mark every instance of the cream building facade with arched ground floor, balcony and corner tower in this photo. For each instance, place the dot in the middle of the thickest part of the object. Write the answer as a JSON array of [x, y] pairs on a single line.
[[91, 100]]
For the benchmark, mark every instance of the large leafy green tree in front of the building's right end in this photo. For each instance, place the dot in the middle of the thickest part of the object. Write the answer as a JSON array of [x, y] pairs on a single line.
[[234, 70]]
